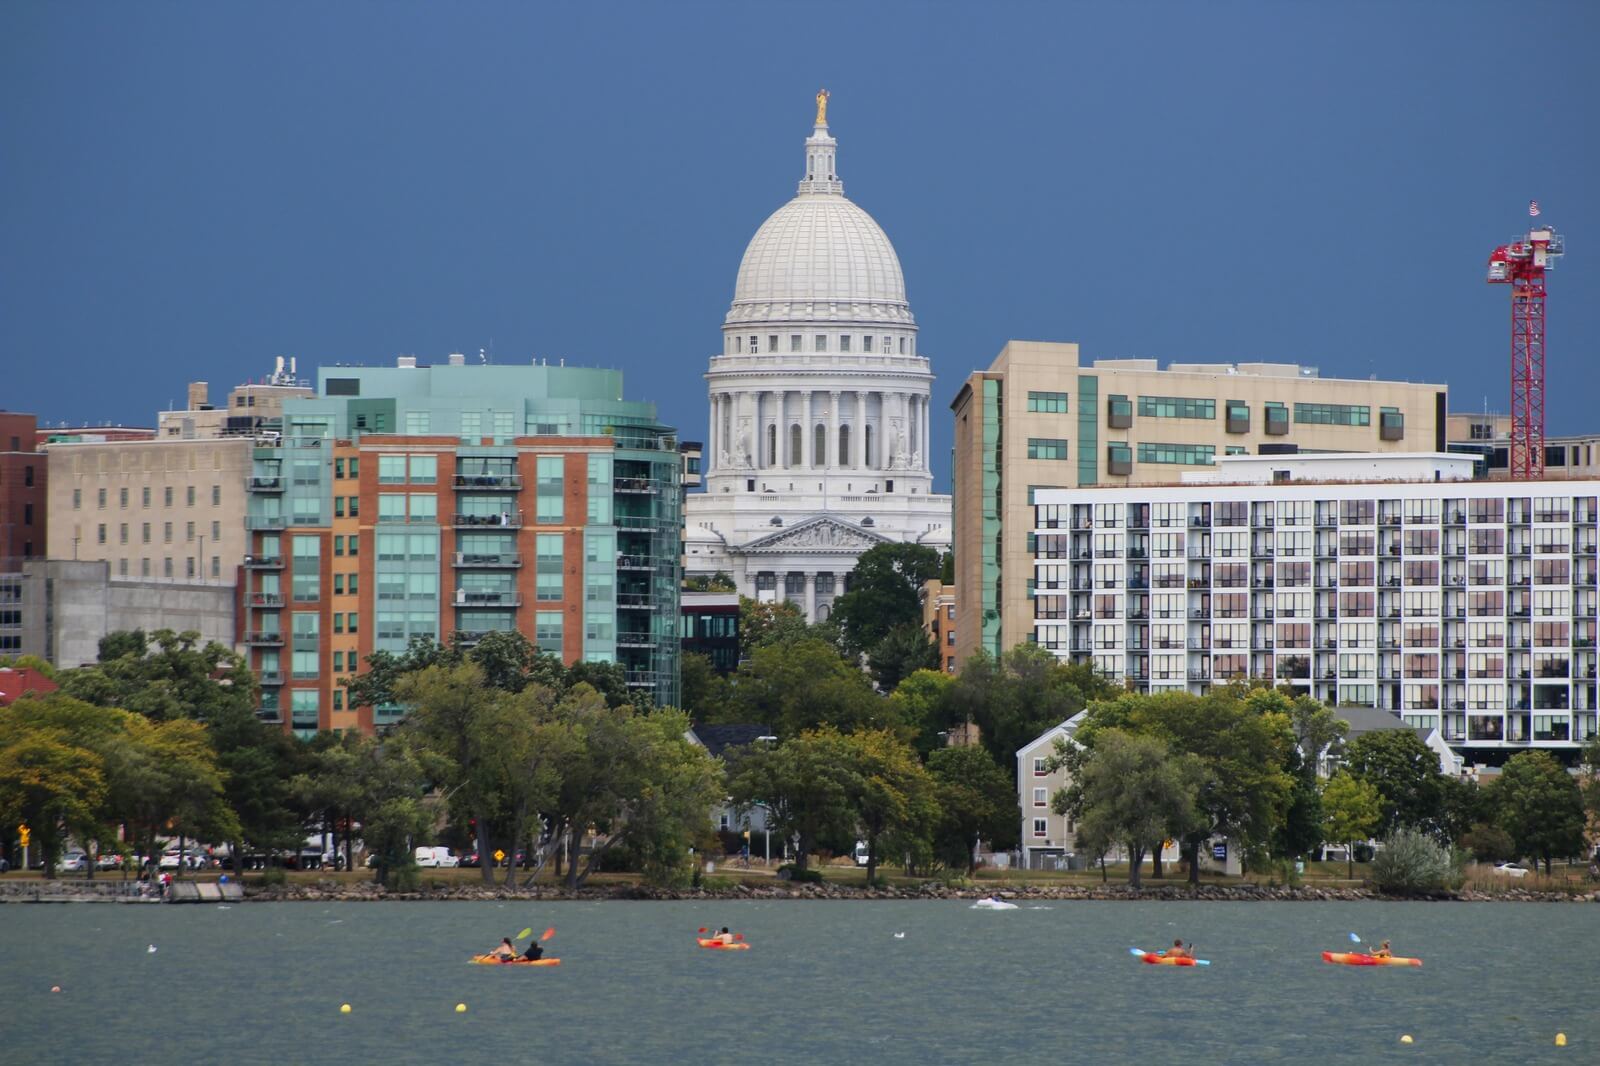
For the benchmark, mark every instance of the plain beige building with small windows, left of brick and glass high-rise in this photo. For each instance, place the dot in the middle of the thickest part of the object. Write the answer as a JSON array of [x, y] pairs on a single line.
[[154, 510]]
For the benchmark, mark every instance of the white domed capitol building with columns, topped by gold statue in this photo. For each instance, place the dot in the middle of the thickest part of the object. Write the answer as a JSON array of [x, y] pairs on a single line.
[[820, 406]]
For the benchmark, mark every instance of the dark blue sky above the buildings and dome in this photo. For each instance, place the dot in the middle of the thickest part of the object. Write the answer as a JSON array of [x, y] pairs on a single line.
[[190, 190]]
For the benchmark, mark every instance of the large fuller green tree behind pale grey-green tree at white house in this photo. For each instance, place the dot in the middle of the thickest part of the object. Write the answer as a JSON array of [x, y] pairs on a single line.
[[1242, 747]]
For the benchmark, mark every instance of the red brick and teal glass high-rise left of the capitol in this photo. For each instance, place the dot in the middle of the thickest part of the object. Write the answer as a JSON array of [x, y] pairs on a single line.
[[425, 502]]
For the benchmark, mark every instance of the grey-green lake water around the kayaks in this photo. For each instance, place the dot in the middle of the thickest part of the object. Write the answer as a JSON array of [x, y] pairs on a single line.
[[826, 982]]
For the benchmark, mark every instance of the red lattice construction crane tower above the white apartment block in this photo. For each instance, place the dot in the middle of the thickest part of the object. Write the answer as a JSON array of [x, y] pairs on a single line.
[[1522, 265]]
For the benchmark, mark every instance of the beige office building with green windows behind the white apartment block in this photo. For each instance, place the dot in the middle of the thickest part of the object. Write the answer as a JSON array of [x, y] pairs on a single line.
[[1039, 419]]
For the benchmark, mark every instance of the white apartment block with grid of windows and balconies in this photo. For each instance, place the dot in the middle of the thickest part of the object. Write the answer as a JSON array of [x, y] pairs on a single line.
[[1359, 580]]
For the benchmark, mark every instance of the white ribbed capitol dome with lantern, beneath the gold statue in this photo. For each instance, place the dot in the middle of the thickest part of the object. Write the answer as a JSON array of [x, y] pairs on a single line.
[[820, 258]]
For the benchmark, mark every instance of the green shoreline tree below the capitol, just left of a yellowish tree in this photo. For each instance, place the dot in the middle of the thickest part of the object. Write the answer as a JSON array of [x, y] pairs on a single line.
[[806, 783]]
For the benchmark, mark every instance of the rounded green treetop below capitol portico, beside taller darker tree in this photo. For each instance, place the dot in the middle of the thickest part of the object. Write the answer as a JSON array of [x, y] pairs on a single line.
[[806, 686]]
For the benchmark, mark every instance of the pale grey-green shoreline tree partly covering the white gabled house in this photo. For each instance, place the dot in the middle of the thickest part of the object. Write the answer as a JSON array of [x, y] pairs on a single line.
[[1135, 791]]
